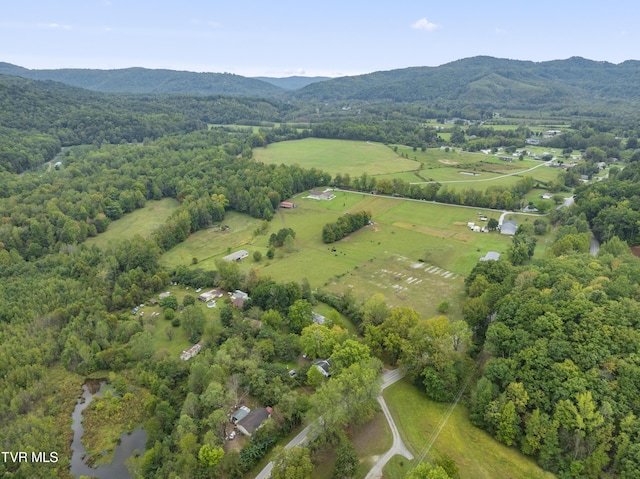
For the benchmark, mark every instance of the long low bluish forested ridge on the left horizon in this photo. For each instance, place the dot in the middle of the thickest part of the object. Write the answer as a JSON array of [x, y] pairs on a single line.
[[144, 80]]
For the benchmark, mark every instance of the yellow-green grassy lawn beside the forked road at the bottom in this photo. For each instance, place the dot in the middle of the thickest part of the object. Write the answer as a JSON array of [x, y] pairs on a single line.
[[476, 453]]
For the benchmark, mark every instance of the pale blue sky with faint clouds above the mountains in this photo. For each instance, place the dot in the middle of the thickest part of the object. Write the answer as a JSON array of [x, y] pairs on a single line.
[[325, 37]]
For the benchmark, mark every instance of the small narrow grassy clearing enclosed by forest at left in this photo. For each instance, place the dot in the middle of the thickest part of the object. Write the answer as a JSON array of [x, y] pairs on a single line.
[[143, 222]]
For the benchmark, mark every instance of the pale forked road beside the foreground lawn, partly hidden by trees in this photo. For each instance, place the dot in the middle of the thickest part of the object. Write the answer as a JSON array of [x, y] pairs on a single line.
[[398, 447]]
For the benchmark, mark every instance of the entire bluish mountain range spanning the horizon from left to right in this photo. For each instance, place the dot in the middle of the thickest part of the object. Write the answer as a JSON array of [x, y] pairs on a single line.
[[481, 82]]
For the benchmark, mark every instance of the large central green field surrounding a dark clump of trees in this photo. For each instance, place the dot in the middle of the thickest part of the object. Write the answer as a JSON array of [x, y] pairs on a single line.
[[416, 253]]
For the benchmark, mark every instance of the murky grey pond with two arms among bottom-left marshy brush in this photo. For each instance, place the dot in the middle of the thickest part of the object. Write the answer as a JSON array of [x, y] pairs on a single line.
[[129, 443]]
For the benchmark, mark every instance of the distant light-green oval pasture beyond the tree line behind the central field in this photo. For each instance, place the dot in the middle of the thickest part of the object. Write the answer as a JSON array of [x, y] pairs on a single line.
[[336, 156]]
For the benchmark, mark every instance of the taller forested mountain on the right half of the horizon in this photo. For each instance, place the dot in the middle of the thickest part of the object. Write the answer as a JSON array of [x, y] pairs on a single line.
[[490, 82]]
